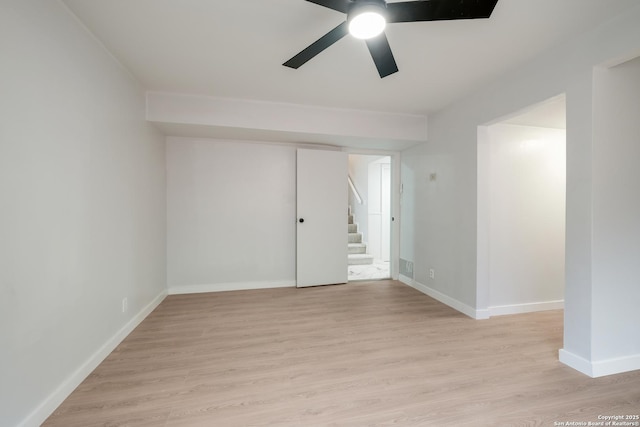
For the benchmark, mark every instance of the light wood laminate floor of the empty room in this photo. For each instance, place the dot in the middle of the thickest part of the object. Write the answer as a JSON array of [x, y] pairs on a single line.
[[362, 354]]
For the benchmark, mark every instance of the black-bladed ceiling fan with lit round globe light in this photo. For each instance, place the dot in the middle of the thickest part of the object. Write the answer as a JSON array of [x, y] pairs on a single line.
[[366, 19]]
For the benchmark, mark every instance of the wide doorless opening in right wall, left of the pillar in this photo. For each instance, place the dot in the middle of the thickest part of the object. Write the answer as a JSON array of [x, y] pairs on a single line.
[[521, 211]]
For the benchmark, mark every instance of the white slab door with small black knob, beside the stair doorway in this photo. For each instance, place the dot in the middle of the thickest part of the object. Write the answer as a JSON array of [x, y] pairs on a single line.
[[322, 236]]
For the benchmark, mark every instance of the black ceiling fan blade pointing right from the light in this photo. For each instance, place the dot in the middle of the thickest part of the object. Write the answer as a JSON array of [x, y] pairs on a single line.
[[436, 10]]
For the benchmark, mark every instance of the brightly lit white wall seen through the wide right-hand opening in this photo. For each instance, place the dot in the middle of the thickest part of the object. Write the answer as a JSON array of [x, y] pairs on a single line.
[[527, 179]]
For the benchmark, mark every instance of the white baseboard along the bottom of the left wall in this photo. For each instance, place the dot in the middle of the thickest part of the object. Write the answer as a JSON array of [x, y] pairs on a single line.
[[46, 408]]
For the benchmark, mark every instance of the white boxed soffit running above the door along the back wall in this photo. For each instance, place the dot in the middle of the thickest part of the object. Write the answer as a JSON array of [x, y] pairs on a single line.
[[224, 118]]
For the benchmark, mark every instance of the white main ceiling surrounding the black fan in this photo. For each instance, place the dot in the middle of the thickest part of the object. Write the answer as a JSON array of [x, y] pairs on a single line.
[[235, 48]]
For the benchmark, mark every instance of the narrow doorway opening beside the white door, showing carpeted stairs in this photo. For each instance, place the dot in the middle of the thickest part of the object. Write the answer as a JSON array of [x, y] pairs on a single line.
[[369, 217]]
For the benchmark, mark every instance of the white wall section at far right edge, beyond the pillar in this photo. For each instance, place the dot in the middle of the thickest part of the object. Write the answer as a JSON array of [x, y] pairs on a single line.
[[616, 214]]
